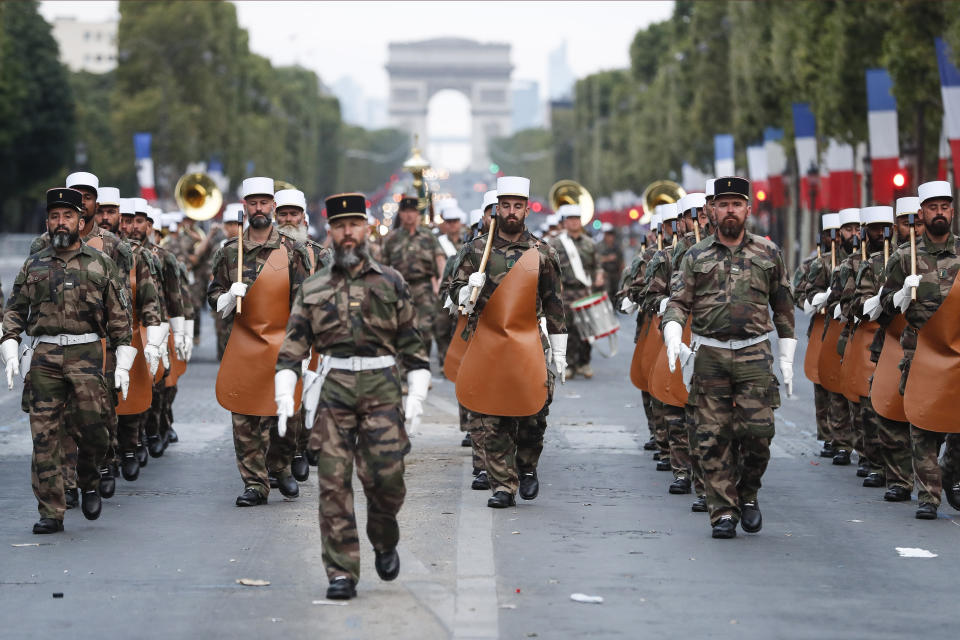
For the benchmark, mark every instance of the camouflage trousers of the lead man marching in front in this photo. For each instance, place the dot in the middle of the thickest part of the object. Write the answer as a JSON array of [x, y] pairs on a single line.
[[359, 421]]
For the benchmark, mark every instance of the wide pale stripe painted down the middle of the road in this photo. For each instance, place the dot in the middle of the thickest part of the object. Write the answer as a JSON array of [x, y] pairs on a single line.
[[477, 613]]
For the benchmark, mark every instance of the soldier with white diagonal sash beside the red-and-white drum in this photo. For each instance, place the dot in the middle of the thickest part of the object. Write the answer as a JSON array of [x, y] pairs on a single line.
[[581, 273]]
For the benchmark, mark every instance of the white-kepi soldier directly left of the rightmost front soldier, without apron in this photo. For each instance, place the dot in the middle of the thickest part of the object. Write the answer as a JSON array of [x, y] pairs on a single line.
[[893, 435]]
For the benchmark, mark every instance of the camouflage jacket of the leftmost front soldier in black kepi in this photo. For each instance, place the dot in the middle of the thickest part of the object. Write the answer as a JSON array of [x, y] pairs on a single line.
[[68, 292]]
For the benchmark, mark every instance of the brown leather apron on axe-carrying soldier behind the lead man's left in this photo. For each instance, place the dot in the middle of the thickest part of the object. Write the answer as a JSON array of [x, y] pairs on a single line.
[[245, 378]]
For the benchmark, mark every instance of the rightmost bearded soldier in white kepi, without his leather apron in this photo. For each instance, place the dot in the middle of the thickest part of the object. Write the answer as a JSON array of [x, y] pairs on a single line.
[[937, 266]]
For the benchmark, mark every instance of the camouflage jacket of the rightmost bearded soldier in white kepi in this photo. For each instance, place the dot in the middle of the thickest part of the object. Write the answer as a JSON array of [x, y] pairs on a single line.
[[937, 266]]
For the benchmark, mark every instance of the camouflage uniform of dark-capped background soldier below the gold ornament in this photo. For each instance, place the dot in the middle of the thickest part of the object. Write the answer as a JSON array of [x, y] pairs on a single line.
[[415, 255]]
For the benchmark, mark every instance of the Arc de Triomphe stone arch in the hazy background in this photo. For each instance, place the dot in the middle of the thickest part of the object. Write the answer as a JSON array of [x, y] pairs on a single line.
[[479, 71]]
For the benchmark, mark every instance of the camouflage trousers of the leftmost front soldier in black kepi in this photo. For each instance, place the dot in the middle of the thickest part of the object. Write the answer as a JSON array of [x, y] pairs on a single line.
[[66, 395]]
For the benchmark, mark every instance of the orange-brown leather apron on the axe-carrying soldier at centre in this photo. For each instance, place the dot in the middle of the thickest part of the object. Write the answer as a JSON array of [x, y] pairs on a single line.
[[504, 372]]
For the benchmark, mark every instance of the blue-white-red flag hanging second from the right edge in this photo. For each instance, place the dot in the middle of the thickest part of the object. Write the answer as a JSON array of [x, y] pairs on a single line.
[[882, 126]]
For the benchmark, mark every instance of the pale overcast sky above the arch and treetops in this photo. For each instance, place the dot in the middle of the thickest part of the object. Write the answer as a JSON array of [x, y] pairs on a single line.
[[350, 38]]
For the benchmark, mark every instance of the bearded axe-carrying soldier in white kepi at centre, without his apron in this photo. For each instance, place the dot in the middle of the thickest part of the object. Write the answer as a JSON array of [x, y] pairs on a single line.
[[512, 444]]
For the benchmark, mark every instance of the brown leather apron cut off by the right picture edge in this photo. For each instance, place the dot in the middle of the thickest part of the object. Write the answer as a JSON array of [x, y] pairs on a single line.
[[935, 370]]
